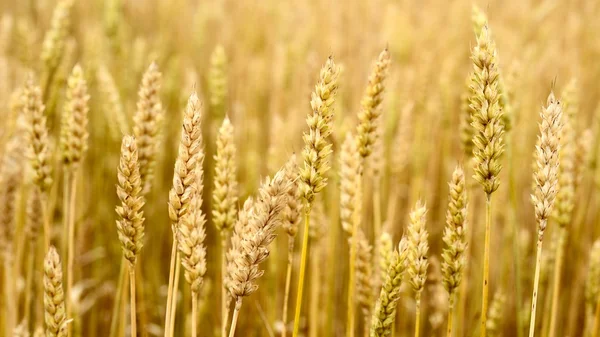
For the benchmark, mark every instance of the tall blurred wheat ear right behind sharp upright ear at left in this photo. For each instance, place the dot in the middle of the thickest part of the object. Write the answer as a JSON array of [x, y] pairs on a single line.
[[147, 120]]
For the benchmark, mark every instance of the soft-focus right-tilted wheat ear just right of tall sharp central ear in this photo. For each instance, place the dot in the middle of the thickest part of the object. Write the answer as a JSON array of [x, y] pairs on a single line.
[[370, 112]]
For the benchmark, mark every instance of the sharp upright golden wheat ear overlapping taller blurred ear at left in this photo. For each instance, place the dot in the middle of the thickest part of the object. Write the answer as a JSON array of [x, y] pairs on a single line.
[[130, 225]]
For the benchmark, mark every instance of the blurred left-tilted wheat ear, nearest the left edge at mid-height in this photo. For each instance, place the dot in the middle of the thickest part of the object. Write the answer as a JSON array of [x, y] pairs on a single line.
[[37, 136]]
